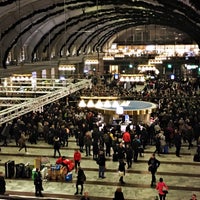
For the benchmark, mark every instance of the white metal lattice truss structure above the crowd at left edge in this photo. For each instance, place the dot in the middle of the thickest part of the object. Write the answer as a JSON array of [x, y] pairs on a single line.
[[15, 99]]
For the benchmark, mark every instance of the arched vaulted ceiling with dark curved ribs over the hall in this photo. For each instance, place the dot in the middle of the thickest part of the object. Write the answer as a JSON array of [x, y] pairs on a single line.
[[86, 25]]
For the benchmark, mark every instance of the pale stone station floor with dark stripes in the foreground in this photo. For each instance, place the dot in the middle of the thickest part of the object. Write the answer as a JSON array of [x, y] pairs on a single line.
[[181, 174]]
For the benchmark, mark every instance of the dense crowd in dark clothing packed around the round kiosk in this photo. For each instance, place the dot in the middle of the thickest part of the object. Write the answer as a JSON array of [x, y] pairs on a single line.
[[176, 120]]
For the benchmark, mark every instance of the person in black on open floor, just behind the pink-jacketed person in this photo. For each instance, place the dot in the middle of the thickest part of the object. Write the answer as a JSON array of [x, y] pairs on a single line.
[[153, 165]]
